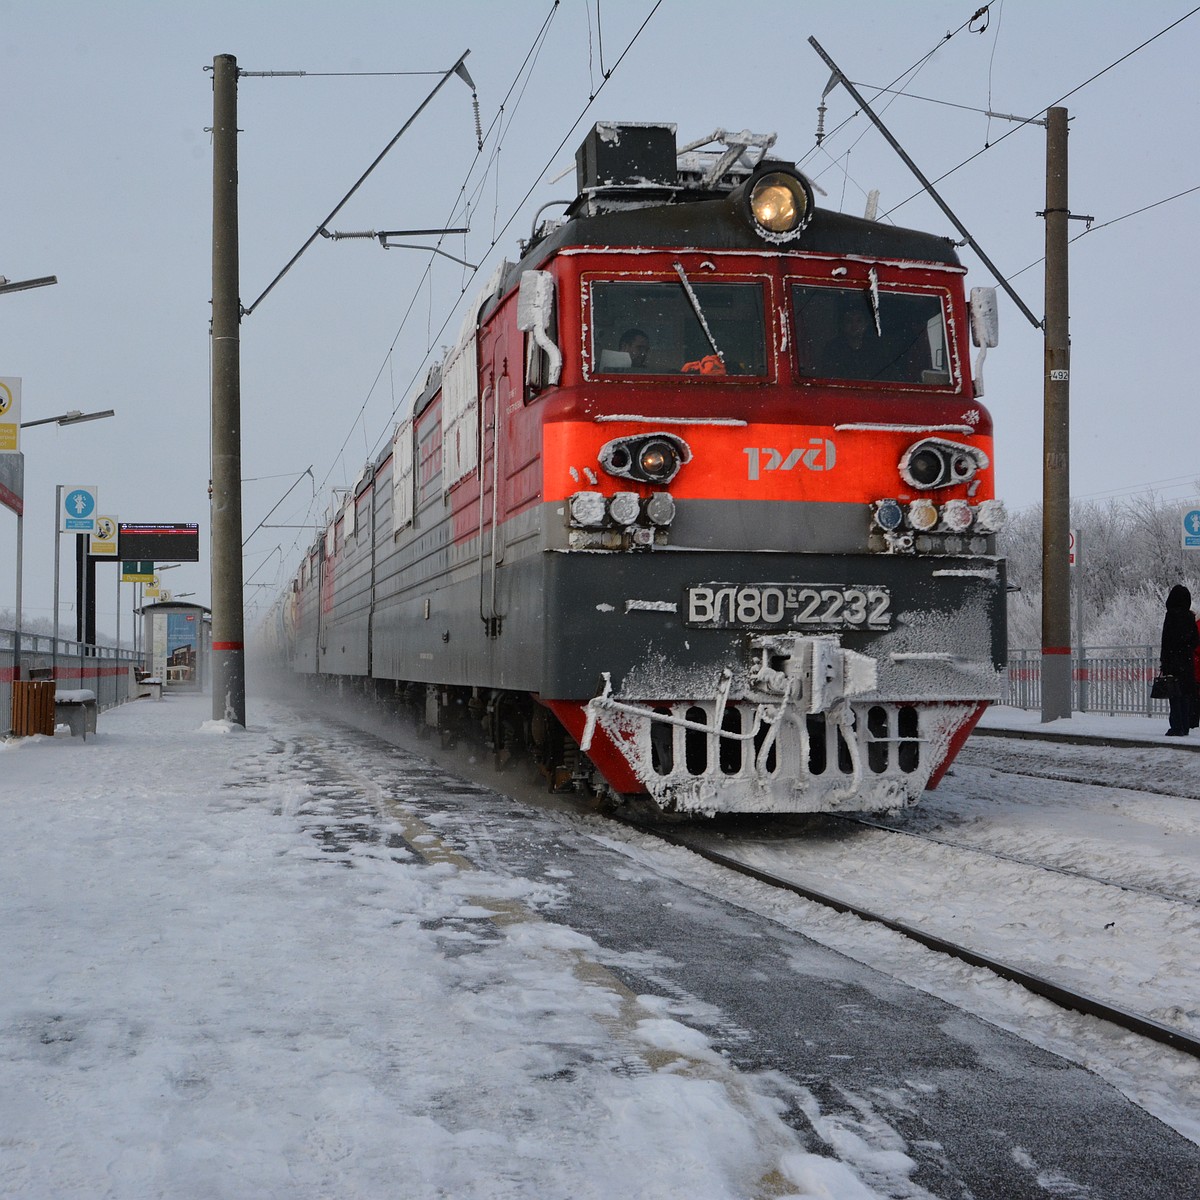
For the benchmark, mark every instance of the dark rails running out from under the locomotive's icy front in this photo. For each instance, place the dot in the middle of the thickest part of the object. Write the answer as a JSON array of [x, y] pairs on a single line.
[[1037, 985]]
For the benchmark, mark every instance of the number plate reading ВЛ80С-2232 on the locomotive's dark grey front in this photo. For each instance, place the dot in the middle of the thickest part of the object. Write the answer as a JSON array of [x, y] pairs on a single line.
[[805, 607]]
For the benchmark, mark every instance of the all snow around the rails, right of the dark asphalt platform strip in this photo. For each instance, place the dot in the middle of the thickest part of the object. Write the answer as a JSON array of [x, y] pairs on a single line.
[[1125, 947]]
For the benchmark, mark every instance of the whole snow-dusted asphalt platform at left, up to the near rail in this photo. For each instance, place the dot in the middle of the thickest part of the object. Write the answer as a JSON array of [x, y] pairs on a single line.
[[301, 961]]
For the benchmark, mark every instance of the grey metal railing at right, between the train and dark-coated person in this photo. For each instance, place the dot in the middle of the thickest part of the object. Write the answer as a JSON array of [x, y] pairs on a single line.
[[1108, 680]]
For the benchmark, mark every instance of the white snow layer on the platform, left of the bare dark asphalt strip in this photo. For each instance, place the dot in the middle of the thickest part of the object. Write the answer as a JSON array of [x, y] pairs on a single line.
[[201, 1001]]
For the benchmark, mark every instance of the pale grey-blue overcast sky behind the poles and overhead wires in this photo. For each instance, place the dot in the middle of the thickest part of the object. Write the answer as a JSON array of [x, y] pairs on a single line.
[[107, 184]]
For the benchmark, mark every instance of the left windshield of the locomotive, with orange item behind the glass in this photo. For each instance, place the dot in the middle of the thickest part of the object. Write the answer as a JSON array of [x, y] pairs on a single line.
[[677, 328]]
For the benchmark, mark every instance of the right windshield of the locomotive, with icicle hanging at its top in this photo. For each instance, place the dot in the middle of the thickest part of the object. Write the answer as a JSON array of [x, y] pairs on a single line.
[[838, 335]]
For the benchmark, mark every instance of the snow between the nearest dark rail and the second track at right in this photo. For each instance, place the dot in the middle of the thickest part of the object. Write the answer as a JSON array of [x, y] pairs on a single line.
[[1136, 950]]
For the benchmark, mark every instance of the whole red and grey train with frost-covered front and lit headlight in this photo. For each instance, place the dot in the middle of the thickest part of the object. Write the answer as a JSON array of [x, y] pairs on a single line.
[[699, 506]]
